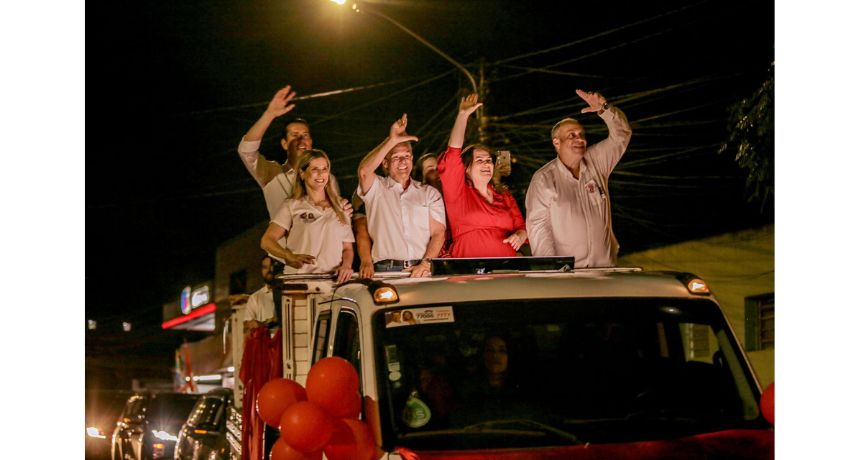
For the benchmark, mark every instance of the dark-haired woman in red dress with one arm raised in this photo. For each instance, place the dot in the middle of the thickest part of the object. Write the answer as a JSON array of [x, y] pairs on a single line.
[[484, 222]]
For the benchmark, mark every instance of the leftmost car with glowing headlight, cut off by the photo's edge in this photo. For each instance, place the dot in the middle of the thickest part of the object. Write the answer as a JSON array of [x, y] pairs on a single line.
[[102, 408]]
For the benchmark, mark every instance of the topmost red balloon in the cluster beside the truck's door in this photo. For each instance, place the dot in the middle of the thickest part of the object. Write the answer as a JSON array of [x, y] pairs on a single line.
[[332, 383]]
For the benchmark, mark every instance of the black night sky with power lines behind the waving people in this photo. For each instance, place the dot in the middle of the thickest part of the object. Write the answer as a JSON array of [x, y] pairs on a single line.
[[172, 86]]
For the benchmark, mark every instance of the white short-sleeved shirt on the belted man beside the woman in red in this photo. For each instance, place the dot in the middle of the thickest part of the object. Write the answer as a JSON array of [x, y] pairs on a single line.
[[399, 220]]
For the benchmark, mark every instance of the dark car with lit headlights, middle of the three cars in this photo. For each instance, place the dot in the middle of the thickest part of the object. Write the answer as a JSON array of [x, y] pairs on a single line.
[[149, 424]]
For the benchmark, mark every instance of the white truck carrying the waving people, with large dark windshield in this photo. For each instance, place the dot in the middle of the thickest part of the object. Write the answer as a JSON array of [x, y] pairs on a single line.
[[491, 359]]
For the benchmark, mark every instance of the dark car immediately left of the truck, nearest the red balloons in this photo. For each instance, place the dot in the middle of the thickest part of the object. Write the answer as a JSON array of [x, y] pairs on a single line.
[[203, 436]]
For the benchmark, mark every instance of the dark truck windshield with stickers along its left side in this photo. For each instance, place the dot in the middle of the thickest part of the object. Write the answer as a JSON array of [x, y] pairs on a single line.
[[559, 372]]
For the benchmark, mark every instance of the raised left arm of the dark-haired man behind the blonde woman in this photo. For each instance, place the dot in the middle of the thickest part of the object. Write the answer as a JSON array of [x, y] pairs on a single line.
[[261, 169]]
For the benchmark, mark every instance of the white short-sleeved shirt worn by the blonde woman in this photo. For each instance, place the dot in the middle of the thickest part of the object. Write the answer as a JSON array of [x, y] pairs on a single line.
[[313, 231]]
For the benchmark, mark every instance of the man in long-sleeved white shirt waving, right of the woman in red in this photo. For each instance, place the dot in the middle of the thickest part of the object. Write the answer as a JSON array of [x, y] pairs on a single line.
[[567, 204]]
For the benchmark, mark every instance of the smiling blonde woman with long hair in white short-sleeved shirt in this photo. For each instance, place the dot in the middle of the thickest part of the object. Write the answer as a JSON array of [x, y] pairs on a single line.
[[319, 237]]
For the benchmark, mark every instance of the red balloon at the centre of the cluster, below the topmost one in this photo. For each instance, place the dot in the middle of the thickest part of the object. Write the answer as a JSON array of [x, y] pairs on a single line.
[[306, 427]]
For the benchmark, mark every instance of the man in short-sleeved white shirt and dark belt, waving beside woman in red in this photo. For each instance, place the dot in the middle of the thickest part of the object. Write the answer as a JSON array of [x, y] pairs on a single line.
[[405, 218]]
